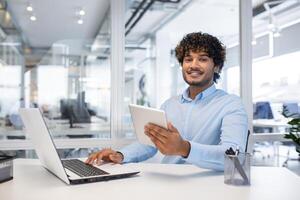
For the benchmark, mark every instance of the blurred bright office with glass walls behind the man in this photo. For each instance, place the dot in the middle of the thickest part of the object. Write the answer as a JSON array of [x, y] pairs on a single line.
[[61, 57]]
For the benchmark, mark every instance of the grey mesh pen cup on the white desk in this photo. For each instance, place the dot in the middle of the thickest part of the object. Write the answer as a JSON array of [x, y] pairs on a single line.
[[237, 169]]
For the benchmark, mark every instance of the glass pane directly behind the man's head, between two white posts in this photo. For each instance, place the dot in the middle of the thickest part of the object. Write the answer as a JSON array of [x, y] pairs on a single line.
[[152, 72]]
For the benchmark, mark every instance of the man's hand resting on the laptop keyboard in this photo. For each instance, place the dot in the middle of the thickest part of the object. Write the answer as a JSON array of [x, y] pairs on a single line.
[[105, 155]]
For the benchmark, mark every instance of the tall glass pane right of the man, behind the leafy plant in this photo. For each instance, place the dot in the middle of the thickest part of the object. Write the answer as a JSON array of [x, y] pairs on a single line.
[[276, 79]]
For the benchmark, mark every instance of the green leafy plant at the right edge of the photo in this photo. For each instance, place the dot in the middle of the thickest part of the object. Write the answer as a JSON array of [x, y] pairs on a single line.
[[294, 129]]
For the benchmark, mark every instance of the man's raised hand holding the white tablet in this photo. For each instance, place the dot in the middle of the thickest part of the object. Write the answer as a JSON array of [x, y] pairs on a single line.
[[168, 142]]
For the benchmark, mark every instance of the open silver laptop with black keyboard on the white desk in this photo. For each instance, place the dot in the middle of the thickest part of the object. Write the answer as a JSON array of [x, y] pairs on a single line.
[[71, 171]]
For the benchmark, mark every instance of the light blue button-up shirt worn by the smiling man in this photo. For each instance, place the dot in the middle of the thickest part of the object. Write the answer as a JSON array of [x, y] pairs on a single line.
[[212, 122]]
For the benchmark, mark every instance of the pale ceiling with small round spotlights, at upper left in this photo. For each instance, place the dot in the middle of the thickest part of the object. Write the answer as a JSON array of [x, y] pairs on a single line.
[[57, 20]]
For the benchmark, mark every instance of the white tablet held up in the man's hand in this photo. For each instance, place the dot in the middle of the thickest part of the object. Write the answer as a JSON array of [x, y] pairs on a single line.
[[143, 115]]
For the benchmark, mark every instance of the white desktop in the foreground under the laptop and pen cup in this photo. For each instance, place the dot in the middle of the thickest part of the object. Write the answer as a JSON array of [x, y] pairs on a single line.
[[155, 182]]
